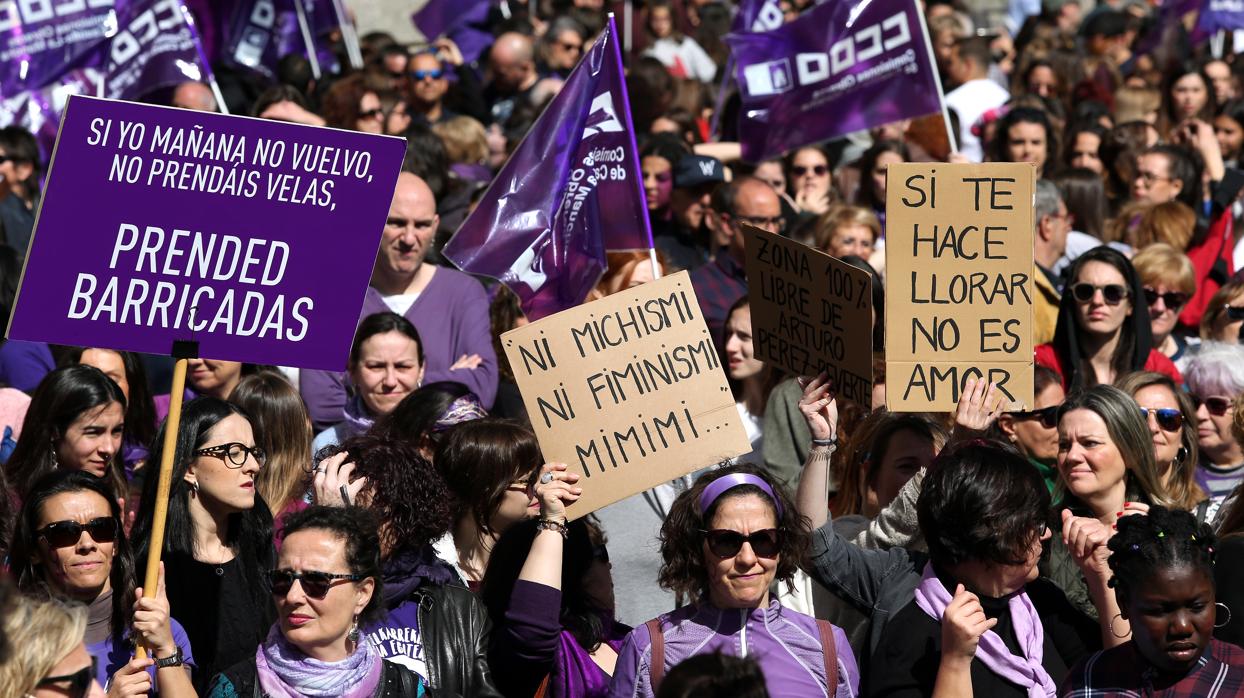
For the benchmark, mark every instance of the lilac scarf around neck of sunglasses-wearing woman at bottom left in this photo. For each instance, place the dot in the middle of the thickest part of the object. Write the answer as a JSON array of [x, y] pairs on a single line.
[[285, 672]]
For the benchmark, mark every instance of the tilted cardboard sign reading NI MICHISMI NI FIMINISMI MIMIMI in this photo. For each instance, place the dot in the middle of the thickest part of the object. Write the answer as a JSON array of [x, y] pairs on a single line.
[[628, 391]]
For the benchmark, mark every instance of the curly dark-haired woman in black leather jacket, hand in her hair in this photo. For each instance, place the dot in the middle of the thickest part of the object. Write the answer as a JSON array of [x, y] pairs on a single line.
[[432, 625]]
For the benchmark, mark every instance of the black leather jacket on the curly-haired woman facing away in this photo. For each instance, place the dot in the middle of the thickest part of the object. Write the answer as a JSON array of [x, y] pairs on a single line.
[[455, 628]]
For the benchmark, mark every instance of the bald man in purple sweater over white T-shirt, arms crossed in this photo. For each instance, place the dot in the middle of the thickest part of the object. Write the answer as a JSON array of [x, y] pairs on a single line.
[[448, 308]]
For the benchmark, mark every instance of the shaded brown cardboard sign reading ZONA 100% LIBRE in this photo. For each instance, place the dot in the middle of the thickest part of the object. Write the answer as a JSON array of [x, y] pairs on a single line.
[[810, 313]]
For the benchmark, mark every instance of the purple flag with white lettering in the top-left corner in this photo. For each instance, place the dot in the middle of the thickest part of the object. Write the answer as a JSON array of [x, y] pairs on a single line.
[[42, 40]]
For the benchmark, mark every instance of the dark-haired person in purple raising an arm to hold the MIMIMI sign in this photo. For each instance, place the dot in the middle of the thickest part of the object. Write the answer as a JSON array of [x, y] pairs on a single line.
[[550, 595]]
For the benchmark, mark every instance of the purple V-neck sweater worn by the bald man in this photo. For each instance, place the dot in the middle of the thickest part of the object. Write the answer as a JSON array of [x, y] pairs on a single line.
[[452, 319]]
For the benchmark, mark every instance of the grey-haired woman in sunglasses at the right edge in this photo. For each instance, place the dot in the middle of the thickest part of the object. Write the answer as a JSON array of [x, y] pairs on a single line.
[[1216, 379]]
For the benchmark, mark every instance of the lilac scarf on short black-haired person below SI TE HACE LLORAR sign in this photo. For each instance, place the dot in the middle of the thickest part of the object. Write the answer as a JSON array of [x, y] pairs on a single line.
[[1027, 672]]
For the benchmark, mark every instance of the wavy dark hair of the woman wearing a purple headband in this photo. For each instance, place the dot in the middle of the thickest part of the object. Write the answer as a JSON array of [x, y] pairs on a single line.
[[681, 539]]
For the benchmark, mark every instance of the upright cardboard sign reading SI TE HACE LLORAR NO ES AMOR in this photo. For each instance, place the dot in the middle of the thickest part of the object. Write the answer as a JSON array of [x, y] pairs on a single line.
[[959, 283]]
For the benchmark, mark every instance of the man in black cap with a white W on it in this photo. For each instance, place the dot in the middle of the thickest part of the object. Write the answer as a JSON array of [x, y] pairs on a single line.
[[687, 238]]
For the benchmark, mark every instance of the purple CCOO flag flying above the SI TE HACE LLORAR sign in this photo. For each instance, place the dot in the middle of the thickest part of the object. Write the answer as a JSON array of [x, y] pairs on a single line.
[[840, 68]]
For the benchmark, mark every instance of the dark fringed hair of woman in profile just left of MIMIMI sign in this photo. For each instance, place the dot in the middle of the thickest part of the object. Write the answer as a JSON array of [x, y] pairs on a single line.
[[480, 460]]
